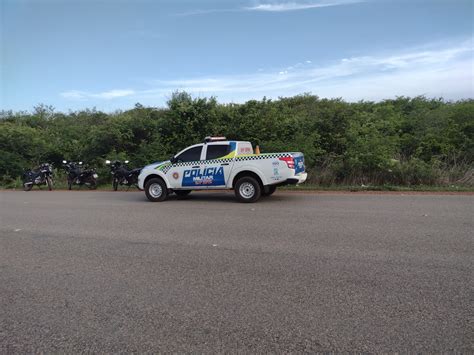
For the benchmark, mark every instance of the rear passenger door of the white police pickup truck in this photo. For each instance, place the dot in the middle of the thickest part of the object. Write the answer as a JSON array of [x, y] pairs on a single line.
[[217, 163]]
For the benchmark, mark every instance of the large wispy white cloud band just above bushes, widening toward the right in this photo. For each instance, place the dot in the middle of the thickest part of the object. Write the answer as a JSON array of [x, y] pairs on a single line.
[[436, 71]]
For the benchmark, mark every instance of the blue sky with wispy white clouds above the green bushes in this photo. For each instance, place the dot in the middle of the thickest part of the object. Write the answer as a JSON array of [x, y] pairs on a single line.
[[111, 54]]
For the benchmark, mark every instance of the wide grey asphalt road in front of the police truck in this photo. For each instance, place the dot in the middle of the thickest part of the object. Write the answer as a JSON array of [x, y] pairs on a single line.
[[111, 272]]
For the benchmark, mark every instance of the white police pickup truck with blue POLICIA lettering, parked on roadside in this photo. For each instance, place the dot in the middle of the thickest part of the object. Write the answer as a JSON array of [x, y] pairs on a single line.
[[222, 164]]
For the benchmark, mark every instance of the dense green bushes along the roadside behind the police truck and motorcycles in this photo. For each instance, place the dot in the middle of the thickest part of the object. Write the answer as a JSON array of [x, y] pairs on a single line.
[[406, 142]]
